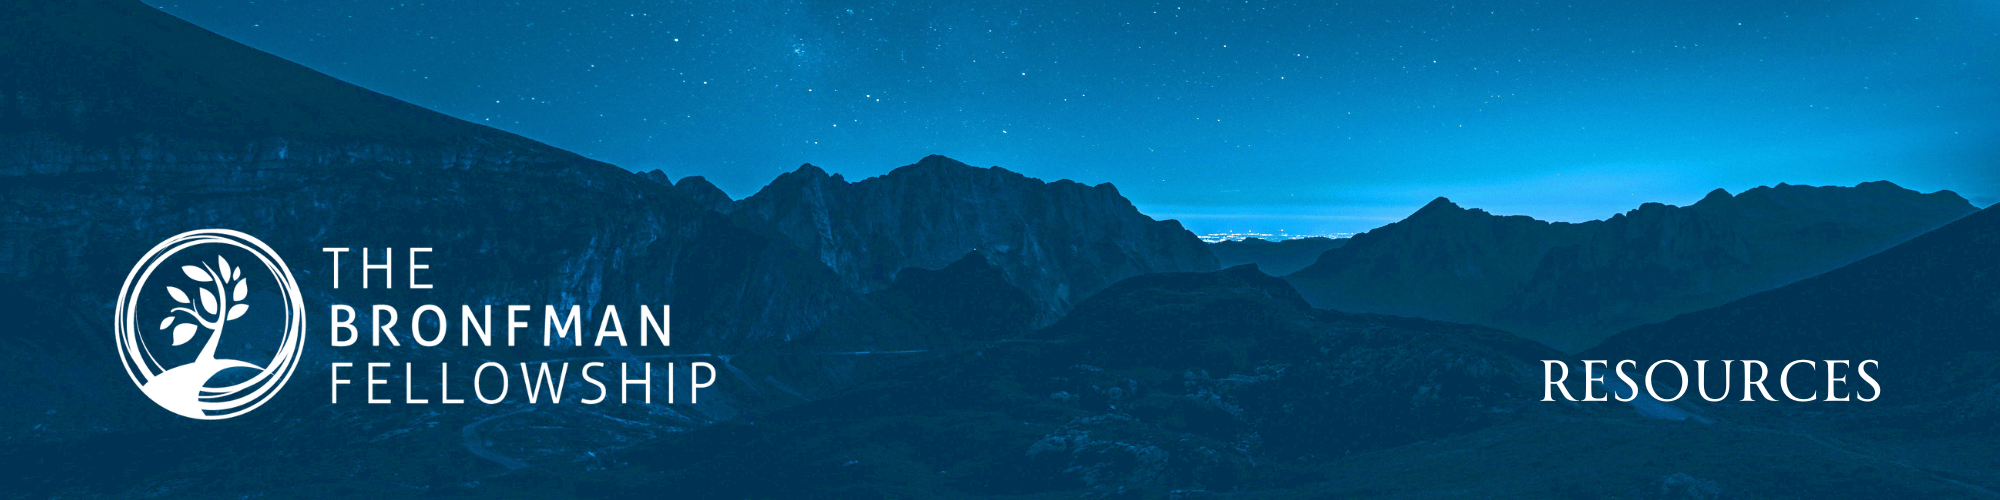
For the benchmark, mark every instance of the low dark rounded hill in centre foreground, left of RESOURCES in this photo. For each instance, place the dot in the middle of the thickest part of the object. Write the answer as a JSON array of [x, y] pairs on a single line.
[[1163, 383]]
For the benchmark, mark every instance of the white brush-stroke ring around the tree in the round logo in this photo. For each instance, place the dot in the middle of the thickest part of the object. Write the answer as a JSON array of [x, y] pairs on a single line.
[[183, 389]]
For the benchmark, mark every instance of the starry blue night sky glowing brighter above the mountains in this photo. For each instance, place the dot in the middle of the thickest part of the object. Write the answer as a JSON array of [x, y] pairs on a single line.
[[1311, 117]]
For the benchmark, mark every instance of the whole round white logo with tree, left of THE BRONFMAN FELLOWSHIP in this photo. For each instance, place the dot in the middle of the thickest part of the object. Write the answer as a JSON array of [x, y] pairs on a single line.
[[213, 285]]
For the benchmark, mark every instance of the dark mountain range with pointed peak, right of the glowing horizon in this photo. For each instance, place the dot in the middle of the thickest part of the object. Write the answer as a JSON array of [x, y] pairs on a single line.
[[1573, 285]]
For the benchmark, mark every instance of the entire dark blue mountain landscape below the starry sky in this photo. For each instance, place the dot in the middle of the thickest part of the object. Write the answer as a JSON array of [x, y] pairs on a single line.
[[943, 331]]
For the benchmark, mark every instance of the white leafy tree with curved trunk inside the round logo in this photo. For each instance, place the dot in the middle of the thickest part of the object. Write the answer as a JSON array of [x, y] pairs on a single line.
[[221, 291]]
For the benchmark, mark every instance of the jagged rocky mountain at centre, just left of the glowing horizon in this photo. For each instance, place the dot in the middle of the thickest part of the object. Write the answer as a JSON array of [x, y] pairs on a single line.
[[1057, 241]]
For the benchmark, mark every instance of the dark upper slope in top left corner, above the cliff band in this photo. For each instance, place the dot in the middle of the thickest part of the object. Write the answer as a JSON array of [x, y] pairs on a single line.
[[189, 89]]
